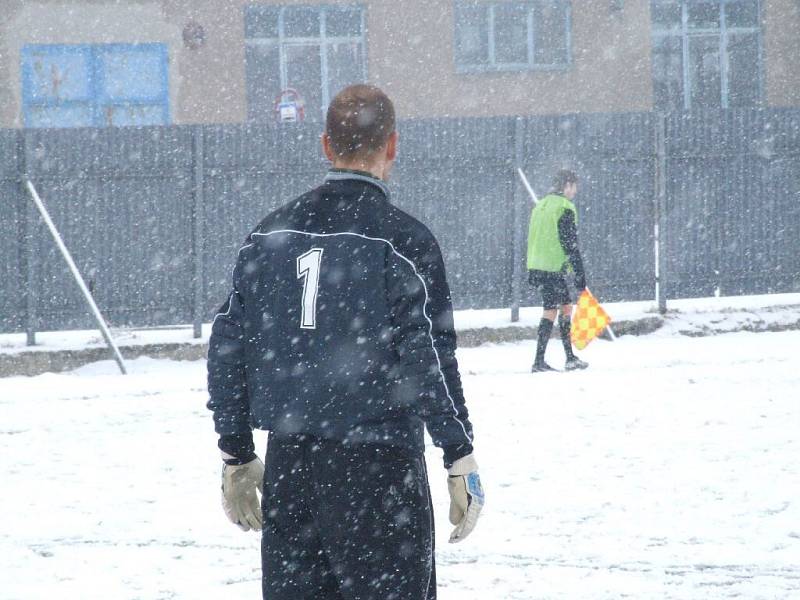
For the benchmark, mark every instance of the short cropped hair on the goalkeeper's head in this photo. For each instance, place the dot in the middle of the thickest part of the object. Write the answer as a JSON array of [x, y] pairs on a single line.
[[359, 122]]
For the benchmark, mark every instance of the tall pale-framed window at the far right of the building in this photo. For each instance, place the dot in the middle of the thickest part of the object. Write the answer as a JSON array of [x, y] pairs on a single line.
[[706, 54]]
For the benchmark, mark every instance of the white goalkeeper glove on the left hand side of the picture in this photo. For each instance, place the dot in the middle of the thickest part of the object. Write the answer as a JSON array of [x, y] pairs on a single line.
[[239, 497]]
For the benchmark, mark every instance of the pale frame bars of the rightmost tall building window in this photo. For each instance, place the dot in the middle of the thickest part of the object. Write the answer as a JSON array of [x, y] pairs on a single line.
[[685, 33]]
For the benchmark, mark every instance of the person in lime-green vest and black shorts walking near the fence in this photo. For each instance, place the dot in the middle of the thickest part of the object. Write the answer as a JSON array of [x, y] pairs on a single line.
[[552, 254]]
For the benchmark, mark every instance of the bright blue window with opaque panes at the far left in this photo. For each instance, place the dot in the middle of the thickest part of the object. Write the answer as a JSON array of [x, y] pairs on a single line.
[[95, 86]]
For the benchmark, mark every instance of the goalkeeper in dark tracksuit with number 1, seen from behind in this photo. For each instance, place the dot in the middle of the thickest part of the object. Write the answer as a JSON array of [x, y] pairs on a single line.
[[338, 338]]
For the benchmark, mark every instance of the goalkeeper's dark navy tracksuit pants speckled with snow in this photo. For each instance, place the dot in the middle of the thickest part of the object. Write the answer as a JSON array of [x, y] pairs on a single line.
[[345, 522]]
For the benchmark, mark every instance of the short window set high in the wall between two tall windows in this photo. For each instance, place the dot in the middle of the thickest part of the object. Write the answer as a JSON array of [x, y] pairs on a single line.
[[512, 36]]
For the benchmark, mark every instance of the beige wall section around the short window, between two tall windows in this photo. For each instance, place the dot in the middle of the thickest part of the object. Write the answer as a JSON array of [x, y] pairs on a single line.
[[414, 63]]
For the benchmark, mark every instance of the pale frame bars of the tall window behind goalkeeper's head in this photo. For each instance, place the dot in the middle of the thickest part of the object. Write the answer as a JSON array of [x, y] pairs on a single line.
[[323, 41]]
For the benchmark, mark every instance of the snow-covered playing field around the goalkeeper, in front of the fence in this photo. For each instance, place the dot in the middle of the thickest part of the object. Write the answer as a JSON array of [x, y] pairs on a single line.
[[670, 469]]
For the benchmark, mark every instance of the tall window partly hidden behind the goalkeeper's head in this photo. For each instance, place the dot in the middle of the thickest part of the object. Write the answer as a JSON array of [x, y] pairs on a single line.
[[315, 50]]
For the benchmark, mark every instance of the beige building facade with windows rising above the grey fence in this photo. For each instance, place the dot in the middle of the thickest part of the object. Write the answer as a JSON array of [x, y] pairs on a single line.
[[100, 62]]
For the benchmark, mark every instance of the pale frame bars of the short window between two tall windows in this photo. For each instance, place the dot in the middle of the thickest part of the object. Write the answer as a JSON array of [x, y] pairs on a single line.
[[492, 65]]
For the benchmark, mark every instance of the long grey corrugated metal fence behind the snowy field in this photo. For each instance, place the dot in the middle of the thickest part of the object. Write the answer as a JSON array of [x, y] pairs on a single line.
[[154, 216]]
